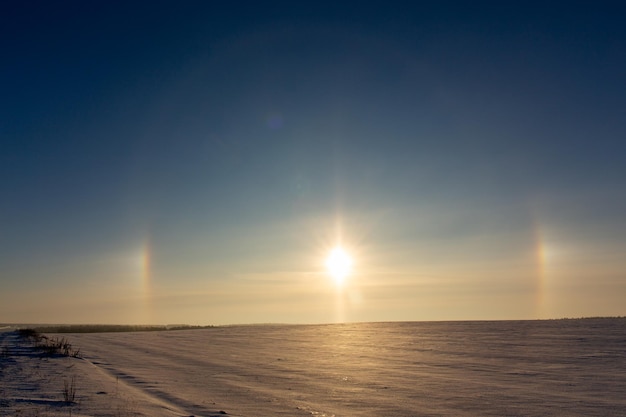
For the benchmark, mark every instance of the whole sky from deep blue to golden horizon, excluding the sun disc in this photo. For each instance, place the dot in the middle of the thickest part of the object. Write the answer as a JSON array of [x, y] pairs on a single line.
[[195, 162]]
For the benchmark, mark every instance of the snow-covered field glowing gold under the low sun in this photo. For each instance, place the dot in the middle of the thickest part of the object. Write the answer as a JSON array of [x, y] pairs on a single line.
[[506, 368]]
